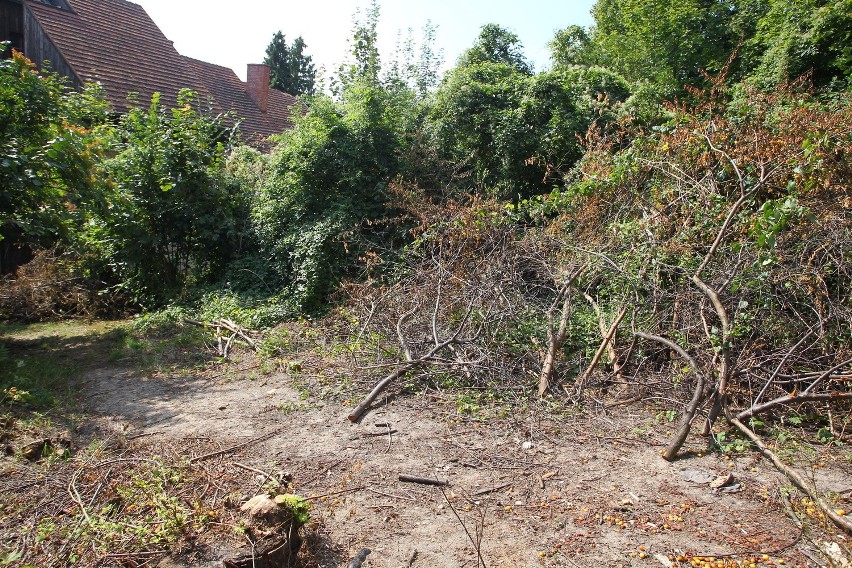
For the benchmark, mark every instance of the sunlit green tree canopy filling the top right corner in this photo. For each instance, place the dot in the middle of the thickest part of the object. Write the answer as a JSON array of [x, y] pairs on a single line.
[[671, 46]]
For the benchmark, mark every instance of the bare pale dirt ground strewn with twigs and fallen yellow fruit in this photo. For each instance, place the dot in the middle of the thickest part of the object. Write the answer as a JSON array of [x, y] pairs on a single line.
[[527, 485]]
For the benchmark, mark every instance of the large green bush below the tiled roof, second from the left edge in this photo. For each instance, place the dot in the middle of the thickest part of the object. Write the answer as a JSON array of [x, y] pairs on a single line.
[[175, 215]]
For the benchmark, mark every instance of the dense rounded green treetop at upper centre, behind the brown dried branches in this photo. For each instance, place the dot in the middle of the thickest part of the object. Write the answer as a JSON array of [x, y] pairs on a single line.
[[519, 134]]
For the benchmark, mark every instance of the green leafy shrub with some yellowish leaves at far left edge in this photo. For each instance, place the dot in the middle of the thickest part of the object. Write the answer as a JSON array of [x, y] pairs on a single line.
[[45, 154]]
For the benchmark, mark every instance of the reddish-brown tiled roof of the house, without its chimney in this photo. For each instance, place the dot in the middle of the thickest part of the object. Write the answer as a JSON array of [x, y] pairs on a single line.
[[116, 43]]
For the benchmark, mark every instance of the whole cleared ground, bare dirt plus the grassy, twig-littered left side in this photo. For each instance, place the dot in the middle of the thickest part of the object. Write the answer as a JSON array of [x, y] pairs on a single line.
[[148, 461]]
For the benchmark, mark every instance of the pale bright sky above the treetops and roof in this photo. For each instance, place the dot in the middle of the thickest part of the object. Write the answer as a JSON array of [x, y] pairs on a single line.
[[234, 34]]
